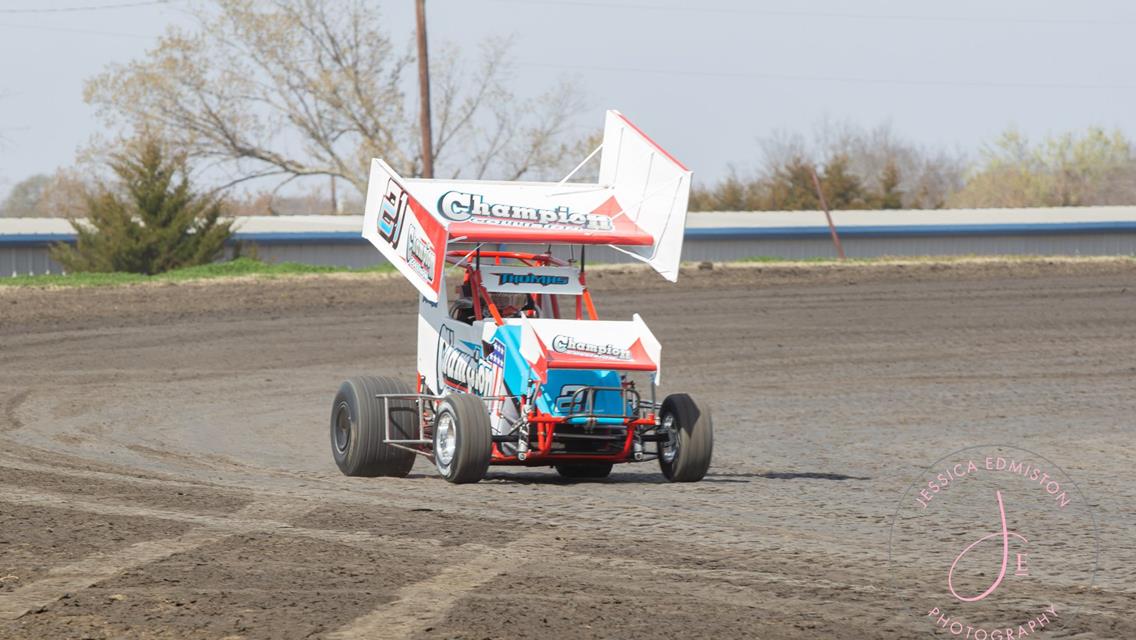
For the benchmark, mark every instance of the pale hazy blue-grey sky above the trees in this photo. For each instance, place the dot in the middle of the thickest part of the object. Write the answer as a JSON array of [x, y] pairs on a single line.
[[708, 80]]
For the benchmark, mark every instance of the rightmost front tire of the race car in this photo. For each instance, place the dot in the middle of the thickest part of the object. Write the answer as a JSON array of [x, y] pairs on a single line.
[[689, 459]]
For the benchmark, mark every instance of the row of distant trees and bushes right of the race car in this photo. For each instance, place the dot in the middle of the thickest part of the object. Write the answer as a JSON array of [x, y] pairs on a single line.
[[875, 170]]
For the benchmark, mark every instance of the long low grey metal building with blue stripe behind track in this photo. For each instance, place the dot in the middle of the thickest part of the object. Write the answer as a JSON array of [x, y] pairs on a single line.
[[719, 236]]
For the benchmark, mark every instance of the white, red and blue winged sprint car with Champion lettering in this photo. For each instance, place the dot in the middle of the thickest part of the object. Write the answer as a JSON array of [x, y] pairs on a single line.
[[515, 367]]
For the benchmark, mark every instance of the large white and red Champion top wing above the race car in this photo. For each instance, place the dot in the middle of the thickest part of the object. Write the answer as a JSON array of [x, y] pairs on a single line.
[[639, 206]]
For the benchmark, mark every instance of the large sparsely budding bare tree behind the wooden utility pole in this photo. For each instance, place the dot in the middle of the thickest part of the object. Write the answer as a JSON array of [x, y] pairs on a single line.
[[288, 89]]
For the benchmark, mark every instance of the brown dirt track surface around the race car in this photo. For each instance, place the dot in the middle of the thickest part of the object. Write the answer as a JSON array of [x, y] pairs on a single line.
[[165, 468]]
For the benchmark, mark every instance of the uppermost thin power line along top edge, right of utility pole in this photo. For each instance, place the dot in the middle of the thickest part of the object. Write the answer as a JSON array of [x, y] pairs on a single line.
[[840, 15]]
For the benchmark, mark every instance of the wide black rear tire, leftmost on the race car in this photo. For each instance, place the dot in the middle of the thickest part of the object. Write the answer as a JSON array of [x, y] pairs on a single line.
[[358, 428]]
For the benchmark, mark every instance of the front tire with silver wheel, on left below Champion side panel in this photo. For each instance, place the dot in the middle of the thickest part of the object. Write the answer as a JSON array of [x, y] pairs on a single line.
[[463, 439]]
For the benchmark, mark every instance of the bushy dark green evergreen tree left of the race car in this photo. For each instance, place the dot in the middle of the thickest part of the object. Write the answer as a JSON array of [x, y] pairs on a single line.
[[151, 222]]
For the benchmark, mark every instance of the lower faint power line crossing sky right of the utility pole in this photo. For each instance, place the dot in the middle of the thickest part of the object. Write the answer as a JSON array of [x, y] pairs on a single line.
[[849, 80]]
